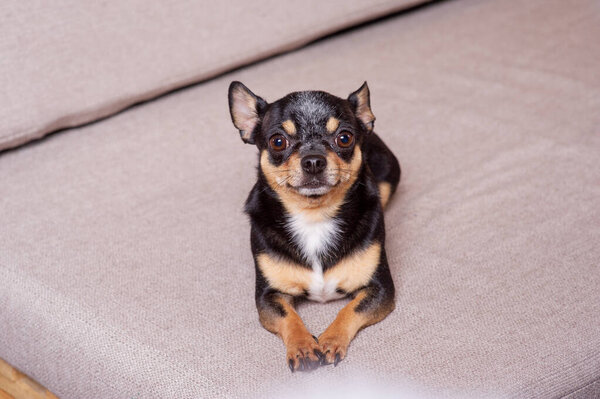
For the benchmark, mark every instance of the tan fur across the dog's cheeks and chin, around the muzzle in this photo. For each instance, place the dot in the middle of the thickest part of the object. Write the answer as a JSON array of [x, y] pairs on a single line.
[[290, 172]]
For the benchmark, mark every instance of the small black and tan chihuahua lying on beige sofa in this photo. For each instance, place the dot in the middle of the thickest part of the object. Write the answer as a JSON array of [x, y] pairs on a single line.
[[316, 214]]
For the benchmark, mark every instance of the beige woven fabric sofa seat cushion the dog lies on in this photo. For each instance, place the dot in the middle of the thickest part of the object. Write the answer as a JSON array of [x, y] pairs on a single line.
[[125, 260]]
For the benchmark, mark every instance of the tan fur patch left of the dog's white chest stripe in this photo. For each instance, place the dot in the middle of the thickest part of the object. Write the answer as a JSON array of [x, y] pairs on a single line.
[[287, 277]]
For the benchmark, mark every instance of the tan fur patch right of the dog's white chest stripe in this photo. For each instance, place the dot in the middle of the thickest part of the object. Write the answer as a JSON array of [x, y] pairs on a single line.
[[356, 270]]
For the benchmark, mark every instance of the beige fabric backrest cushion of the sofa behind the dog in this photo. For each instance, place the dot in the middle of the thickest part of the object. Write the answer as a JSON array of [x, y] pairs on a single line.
[[67, 62]]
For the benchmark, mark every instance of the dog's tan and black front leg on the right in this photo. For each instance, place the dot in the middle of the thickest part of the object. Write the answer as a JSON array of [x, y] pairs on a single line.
[[369, 306]]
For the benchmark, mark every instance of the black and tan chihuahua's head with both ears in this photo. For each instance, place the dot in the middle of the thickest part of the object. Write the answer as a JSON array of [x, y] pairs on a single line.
[[309, 142]]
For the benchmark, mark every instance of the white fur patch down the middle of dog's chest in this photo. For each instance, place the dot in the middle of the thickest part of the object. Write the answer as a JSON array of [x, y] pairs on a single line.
[[315, 239]]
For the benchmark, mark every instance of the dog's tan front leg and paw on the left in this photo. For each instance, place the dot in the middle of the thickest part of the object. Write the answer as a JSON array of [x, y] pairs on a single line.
[[277, 315]]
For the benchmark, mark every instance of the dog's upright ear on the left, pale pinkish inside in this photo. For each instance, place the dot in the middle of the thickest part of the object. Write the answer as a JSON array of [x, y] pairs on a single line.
[[246, 110]]
